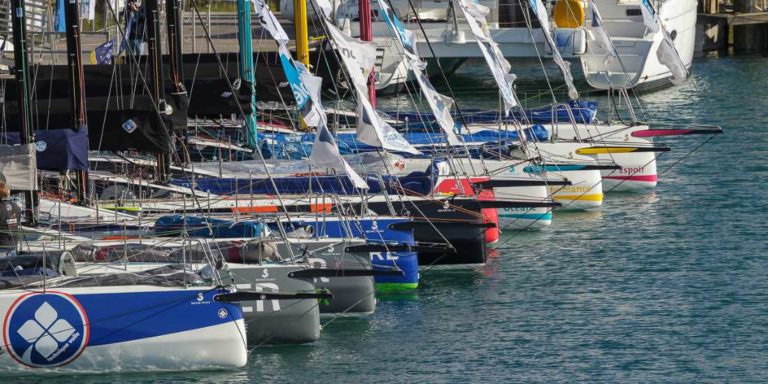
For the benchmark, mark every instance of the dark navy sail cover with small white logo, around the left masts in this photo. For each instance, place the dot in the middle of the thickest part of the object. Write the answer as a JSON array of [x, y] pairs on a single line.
[[57, 149]]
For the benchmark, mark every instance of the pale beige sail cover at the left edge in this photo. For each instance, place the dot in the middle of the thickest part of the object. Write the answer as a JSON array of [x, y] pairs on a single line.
[[18, 168]]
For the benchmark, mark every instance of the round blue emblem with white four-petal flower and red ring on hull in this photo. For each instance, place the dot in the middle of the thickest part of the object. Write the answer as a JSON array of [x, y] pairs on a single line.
[[46, 330]]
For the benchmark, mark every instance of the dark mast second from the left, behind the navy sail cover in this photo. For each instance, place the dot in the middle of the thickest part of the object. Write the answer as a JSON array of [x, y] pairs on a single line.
[[79, 119]]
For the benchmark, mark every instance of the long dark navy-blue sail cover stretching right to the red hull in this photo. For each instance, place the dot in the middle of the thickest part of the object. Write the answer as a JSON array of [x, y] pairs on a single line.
[[416, 183]]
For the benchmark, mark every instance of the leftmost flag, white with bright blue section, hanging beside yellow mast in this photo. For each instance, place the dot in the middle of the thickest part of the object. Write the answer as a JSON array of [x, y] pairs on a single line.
[[306, 90]]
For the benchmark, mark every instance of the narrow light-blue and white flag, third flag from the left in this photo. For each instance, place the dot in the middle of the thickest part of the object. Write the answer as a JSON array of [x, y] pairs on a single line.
[[438, 103]]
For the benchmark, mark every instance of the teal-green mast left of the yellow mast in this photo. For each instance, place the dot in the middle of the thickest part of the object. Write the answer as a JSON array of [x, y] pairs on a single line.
[[244, 32]]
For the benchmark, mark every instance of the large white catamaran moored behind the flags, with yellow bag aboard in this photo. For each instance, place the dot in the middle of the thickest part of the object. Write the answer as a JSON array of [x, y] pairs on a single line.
[[572, 26]]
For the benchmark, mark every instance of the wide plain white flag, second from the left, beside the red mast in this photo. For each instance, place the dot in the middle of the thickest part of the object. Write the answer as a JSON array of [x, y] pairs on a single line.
[[358, 57]]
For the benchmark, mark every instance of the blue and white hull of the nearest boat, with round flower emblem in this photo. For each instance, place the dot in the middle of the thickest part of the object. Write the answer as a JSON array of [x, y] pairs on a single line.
[[108, 329]]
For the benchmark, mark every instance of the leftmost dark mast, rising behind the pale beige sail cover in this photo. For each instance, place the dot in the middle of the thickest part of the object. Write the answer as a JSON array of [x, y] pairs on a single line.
[[22, 77]]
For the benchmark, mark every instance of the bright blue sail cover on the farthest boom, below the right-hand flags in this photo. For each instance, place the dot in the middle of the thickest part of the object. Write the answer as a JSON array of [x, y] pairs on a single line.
[[584, 112]]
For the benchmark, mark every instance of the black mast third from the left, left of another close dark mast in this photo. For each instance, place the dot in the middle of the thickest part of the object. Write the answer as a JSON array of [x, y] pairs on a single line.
[[156, 78]]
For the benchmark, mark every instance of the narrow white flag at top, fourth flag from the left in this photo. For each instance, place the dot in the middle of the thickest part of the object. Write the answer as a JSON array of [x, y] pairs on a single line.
[[499, 66]]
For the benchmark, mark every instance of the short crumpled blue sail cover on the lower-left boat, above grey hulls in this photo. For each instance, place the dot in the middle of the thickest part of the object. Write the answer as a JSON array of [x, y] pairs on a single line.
[[206, 227]]
